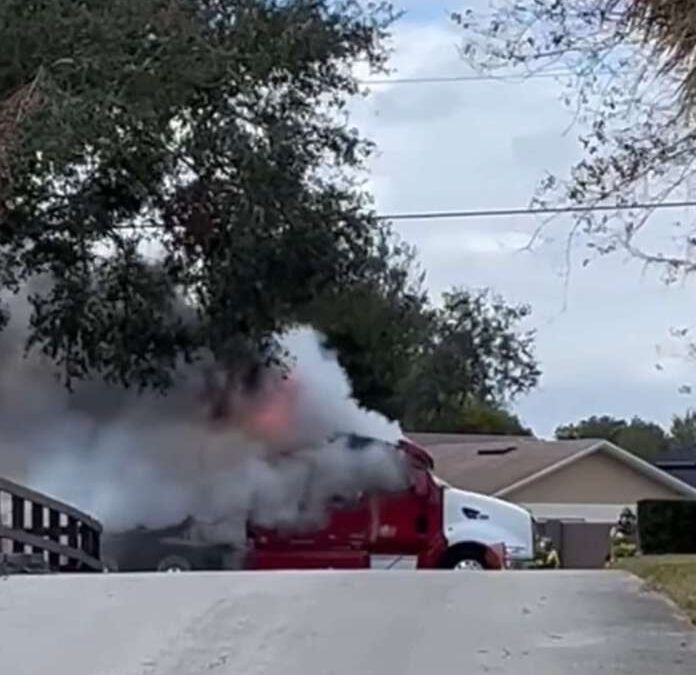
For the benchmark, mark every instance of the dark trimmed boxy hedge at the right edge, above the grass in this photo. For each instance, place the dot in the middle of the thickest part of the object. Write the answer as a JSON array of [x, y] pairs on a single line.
[[667, 526]]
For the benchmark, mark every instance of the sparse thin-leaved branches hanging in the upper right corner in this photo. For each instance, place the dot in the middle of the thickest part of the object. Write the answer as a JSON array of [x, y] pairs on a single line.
[[630, 83]]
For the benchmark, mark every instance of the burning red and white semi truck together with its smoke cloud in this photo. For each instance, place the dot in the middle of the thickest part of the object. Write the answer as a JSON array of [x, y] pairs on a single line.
[[232, 472]]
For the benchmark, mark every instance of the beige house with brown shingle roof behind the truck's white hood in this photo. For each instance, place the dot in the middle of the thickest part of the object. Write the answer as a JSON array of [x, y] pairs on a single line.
[[575, 489]]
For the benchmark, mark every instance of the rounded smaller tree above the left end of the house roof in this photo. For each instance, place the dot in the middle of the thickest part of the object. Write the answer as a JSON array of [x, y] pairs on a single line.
[[476, 354]]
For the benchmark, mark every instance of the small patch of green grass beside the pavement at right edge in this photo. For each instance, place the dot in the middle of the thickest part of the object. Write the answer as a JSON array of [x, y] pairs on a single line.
[[673, 575]]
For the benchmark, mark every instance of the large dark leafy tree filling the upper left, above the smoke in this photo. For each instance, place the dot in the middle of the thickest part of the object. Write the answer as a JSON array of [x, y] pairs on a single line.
[[208, 131]]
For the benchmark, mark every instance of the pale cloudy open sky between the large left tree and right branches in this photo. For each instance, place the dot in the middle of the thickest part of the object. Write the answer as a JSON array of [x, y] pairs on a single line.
[[481, 145]]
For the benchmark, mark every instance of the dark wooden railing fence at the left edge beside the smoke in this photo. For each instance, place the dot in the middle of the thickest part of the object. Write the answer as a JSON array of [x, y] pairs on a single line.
[[40, 532]]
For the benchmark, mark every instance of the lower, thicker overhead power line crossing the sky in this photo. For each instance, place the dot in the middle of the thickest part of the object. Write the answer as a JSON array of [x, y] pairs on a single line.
[[540, 211]]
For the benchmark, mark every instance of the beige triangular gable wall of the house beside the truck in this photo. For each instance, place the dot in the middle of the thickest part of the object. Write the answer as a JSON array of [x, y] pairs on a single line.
[[597, 478]]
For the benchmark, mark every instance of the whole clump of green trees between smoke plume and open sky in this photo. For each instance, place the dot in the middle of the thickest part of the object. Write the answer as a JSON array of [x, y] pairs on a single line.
[[451, 369]]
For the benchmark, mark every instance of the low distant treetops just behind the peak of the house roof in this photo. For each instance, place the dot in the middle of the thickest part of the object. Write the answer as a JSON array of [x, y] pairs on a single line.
[[644, 439]]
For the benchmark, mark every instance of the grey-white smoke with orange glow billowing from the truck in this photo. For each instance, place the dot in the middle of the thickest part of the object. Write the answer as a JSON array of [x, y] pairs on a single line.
[[149, 460]]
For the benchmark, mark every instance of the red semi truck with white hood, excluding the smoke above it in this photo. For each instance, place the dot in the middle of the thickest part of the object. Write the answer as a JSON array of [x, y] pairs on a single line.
[[429, 526]]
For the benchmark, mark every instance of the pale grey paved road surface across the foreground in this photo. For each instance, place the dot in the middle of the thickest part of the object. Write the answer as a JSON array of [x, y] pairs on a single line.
[[370, 623]]
